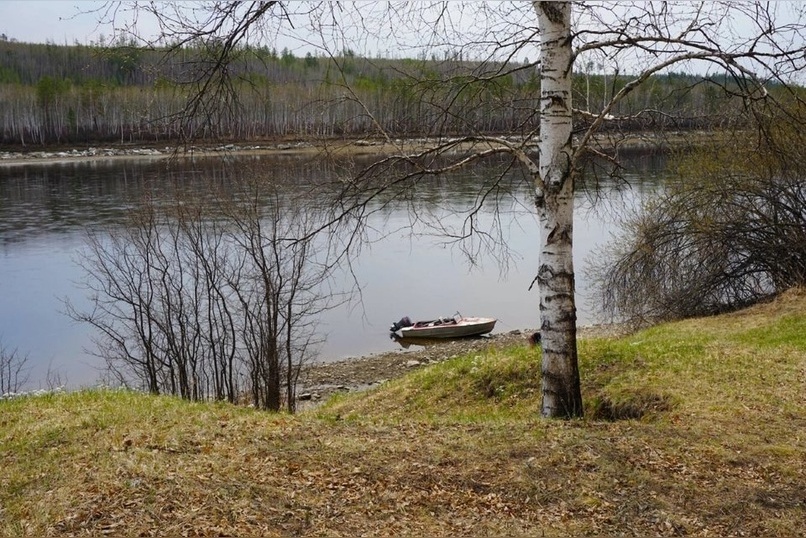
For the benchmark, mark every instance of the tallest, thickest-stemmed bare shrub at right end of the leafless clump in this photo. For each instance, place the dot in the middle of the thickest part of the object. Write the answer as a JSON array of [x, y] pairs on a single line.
[[287, 278]]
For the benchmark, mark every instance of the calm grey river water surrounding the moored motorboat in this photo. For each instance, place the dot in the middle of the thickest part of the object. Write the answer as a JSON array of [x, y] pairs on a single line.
[[46, 210]]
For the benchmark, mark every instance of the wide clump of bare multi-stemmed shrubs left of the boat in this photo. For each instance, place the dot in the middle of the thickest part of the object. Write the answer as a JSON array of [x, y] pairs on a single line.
[[210, 296]]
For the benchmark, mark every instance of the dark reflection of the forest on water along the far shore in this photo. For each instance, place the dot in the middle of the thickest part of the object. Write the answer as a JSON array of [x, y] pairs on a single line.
[[68, 196]]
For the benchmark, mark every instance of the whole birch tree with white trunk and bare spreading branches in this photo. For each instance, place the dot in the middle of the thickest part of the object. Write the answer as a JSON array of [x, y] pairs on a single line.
[[743, 49]]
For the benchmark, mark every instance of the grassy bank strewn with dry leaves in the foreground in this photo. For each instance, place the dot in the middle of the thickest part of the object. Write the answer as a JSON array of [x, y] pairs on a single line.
[[692, 428]]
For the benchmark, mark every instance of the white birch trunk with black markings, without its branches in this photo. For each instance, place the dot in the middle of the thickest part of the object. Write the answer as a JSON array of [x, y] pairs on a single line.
[[555, 207]]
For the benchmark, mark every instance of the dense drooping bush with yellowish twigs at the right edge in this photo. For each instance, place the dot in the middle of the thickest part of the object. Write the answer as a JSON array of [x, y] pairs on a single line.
[[729, 231]]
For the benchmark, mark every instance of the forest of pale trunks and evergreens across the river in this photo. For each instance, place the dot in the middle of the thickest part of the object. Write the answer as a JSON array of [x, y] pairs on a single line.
[[100, 93]]
